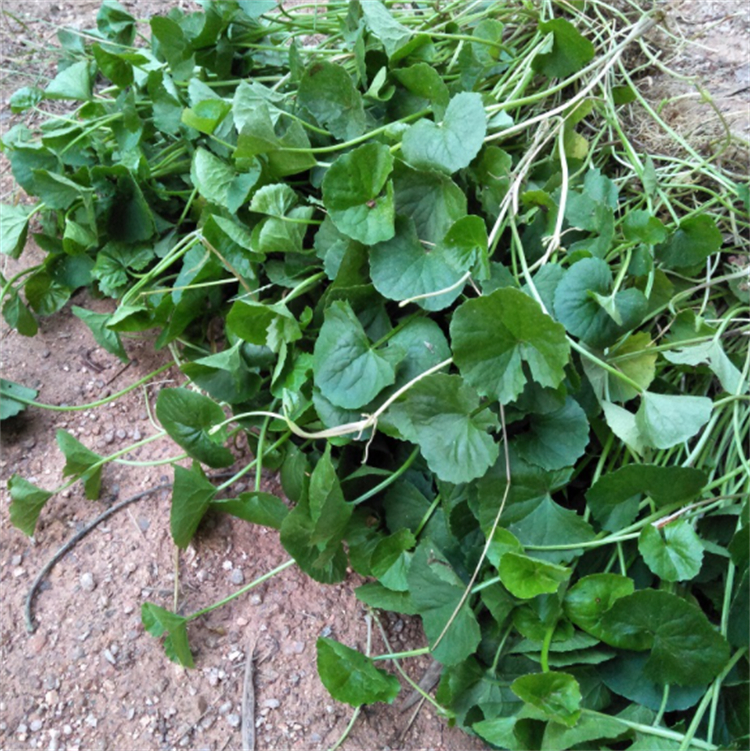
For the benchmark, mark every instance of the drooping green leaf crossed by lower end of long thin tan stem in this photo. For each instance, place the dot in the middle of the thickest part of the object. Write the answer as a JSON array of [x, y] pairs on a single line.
[[436, 590]]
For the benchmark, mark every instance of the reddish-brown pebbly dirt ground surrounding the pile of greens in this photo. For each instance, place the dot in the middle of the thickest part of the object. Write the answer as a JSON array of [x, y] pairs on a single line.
[[89, 678]]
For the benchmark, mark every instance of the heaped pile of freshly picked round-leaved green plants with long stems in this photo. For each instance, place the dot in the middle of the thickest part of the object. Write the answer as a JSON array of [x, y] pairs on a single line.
[[498, 356]]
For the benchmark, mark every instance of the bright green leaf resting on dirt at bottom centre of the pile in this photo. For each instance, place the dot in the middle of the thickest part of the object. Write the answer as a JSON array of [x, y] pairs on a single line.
[[351, 677]]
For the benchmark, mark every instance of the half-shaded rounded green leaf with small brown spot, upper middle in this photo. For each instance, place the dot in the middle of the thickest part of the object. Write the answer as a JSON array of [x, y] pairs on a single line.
[[352, 193]]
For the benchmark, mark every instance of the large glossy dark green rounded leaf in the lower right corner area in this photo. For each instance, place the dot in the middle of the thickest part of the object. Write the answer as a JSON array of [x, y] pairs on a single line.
[[685, 648]]
